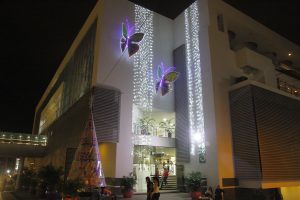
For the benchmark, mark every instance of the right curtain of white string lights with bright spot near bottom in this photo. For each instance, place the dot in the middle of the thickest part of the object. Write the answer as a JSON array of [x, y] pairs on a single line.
[[195, 98]]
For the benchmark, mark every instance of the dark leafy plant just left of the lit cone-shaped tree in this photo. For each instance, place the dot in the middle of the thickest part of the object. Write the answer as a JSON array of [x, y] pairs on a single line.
[[50, 179]]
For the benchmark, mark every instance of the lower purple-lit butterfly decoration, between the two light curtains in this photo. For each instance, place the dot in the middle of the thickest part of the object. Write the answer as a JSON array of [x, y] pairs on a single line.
[[166, 76]]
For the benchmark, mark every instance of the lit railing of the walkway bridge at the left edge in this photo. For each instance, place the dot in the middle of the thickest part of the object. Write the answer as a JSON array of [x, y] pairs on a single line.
[[23, 138]]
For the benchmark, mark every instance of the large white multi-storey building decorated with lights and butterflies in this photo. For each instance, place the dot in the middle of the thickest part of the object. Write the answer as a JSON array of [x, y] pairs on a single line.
[[233, 113]]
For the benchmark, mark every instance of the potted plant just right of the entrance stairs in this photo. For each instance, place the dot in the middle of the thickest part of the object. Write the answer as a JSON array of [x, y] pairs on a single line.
[[193, 182]]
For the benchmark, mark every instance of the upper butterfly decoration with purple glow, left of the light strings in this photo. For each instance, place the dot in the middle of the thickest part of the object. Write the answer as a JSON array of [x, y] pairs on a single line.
[[130, 41]]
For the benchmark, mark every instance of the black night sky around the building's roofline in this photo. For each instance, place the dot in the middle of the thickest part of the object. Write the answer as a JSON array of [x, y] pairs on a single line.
[[36, 34]]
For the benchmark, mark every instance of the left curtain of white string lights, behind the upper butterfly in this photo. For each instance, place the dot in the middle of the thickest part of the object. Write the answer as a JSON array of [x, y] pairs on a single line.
[[143, 83]]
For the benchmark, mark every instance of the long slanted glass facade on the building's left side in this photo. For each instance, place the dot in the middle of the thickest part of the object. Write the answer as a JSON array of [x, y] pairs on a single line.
[[74, 81]]
